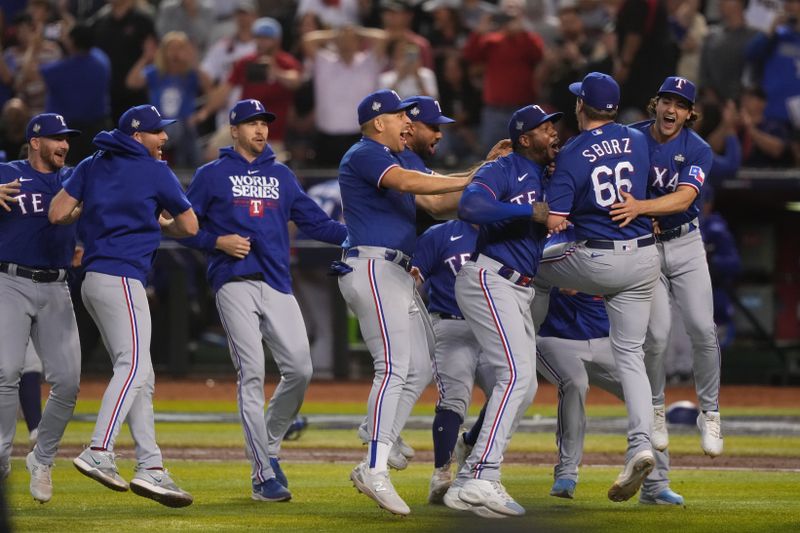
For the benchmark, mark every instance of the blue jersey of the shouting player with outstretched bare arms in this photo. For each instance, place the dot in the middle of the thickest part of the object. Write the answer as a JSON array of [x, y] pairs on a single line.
[[375, 216]]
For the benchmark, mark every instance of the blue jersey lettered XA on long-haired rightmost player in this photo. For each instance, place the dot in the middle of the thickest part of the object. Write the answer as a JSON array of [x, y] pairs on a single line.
[[685, 160]]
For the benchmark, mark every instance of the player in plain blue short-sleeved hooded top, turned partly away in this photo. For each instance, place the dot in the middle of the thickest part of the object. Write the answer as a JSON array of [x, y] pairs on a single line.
[[129, 196]]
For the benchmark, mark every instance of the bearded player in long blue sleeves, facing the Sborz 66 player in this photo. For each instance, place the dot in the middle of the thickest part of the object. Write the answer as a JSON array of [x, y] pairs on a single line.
[[494, 293]]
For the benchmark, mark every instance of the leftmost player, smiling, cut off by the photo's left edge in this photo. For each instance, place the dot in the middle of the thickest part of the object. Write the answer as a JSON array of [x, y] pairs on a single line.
[[34, 297]]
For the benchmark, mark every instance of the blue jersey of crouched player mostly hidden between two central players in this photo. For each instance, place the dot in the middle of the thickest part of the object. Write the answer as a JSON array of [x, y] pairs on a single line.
[[441, 252]]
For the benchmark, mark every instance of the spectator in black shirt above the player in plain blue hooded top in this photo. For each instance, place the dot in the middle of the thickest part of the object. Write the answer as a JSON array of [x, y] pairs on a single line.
[[121, 29]]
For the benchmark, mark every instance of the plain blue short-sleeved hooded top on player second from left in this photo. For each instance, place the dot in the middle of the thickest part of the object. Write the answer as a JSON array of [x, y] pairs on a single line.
[[123, 190]]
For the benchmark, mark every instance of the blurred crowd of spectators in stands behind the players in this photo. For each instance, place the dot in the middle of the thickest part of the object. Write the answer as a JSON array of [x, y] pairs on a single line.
[[311, 62]]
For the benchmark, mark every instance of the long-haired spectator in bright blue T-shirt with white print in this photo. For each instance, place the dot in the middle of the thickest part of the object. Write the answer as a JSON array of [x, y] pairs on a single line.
[[173, 83]]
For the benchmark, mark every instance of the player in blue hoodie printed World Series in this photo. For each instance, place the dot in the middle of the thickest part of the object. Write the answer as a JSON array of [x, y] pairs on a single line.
[[244, 200]]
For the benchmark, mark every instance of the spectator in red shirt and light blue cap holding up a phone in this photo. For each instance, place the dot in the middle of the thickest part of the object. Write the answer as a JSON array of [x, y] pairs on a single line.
[[270, 76]]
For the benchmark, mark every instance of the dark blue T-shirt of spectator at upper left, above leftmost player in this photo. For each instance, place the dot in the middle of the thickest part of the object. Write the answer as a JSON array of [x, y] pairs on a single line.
[[78, 87]]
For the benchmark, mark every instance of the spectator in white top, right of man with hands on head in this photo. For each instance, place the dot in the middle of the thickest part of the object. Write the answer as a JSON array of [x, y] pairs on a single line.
[[408, 77]]
